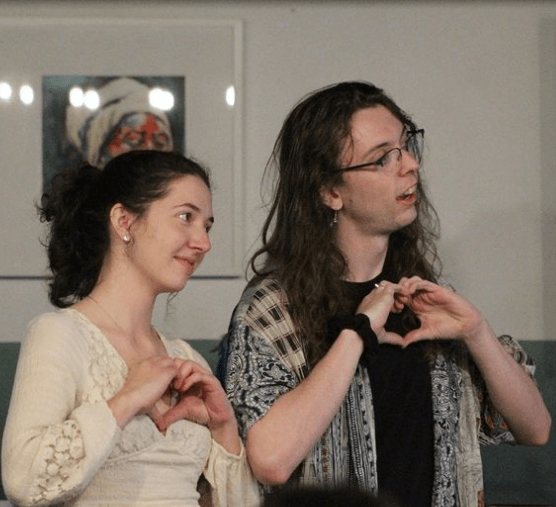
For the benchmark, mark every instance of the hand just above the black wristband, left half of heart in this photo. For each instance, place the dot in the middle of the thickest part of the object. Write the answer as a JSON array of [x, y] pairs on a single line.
[[377, 305]]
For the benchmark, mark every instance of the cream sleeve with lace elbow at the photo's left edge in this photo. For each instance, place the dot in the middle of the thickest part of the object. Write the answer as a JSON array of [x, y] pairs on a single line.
[[53, 445]]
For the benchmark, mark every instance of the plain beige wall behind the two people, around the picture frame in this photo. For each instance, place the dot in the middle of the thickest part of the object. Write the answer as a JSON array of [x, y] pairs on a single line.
[[478, 76]]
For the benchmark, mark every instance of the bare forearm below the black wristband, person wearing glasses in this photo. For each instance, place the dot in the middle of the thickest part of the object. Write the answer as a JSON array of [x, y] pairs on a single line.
[[280, 440]]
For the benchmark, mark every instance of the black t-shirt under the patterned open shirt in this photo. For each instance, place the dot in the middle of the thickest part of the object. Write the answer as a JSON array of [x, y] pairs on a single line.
[[402, 402]]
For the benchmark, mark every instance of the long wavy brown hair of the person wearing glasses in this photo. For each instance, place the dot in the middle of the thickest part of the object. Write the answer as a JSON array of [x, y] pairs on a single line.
[[298, 246]]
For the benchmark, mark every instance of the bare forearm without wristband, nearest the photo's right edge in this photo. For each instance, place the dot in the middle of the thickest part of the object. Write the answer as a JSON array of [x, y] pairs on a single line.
[[511, 389]]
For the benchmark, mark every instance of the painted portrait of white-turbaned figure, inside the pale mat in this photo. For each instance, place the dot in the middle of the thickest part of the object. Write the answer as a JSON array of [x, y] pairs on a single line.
[[90, 119]]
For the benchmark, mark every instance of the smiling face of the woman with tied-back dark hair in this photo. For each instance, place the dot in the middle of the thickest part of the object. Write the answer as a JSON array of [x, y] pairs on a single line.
[[172, 237]]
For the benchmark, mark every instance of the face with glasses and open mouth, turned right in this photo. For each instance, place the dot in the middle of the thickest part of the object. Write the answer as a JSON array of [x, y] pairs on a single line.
[[375, 200]]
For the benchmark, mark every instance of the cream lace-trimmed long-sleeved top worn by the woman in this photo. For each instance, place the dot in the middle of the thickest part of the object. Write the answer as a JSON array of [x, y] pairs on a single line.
[[62, 445]]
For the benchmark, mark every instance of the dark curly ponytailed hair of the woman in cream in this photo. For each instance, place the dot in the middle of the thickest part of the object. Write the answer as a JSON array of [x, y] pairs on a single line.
[[77, 207]]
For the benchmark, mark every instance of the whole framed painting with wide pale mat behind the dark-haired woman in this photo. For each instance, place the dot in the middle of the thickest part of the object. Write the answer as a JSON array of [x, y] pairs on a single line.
[[59, 82]]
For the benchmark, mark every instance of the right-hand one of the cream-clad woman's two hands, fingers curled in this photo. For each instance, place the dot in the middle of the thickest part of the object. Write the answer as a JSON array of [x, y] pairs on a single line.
[[200, 398]]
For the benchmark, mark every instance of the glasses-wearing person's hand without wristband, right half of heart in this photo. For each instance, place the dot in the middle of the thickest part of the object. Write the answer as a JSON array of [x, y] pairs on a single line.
[[443, 313]]
